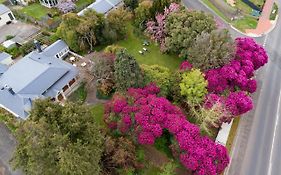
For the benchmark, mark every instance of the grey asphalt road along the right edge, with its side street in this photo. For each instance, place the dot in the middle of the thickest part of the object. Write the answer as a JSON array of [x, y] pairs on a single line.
[[257, 146]]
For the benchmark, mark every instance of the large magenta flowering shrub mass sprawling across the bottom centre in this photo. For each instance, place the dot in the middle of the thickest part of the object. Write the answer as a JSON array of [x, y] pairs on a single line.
[[144, 115]]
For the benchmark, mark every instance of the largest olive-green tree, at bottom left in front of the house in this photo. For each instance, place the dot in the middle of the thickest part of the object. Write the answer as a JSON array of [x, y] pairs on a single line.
[[59, 140]]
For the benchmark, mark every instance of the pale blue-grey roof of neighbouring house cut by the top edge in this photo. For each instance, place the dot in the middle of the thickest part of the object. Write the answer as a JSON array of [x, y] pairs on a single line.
[[101, 6]]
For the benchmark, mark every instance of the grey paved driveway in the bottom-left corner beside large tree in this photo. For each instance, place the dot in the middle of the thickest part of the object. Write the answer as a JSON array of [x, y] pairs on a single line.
[[7, 146]]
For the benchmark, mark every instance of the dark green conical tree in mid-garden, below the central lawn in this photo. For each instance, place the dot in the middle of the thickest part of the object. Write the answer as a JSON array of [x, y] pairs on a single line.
[[127, 72]]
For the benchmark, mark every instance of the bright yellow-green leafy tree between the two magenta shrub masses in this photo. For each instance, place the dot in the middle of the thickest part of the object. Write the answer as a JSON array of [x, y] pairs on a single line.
[[193, 86]]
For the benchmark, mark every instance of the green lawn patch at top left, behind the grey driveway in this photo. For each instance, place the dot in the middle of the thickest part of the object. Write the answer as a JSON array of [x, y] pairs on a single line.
[[36, 10]]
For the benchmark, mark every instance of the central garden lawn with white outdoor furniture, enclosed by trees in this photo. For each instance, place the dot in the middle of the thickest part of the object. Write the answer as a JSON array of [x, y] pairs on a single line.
[[134, 43]]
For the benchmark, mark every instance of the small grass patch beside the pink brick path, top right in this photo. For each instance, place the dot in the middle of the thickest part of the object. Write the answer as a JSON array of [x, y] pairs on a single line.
[[245, 23]]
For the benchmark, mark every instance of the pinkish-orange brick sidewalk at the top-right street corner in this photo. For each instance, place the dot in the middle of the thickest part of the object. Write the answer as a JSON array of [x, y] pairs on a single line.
[[264, 24]]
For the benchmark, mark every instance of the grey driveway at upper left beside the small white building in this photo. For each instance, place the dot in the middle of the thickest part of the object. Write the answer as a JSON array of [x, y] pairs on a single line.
[[21, 31]]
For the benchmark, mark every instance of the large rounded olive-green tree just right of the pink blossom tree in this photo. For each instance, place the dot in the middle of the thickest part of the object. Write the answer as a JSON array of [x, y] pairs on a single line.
[[183, 27]]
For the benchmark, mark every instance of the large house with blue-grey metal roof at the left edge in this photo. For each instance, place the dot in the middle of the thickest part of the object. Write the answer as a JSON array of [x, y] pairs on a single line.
[[38, 75]]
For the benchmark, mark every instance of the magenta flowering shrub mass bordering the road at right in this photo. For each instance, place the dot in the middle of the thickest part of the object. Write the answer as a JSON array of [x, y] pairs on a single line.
[[239, 73]]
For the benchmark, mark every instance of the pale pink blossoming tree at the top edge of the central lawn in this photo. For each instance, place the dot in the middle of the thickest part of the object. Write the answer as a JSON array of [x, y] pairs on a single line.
[[156, 29]]
